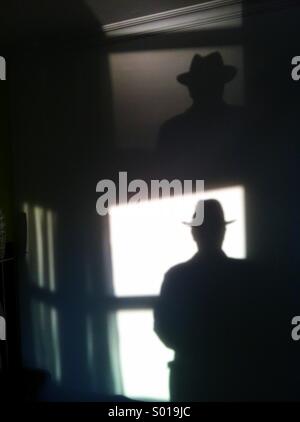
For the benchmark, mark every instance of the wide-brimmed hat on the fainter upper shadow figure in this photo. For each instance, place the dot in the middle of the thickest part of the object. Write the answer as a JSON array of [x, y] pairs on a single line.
[[208, 67]]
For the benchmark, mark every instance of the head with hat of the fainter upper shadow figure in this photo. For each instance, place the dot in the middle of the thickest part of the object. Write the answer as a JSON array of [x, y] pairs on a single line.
[[206, 78]]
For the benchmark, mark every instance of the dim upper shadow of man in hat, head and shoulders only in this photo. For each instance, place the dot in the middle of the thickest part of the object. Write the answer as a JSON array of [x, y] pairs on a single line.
[[210, 127]]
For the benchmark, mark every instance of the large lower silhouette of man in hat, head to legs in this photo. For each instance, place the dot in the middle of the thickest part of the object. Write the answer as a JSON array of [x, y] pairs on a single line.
[[200, 314]]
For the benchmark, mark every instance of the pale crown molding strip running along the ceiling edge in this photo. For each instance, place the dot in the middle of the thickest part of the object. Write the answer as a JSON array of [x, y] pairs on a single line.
[[211, 14]]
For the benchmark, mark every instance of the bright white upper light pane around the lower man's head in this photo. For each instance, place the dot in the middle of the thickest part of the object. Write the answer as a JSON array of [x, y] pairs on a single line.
[[148, 238]]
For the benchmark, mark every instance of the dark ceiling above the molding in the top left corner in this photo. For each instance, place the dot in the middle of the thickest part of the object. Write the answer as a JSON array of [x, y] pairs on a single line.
[[33, 19]]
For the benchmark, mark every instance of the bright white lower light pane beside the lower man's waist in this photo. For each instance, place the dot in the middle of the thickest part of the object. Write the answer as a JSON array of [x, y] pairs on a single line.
[[143, 358]]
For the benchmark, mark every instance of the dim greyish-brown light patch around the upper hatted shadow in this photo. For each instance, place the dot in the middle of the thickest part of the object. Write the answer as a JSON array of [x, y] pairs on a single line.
[[146, 93]]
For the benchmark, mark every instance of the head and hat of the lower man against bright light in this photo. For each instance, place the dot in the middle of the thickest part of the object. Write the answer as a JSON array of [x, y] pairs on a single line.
[[209, 236]]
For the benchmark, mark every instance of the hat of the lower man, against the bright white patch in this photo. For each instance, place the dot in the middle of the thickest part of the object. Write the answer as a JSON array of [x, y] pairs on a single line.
[[213, 214]]
